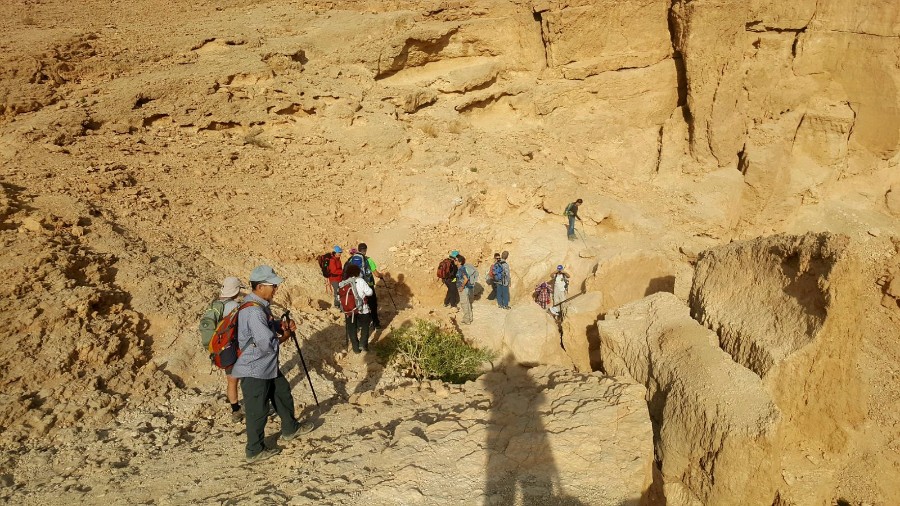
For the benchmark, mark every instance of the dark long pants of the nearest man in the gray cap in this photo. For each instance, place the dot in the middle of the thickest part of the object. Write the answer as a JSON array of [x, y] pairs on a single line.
[[257, 393]]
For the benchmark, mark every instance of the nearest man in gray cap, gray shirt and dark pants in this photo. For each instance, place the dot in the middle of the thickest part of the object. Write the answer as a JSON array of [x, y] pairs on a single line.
[[259, 338]]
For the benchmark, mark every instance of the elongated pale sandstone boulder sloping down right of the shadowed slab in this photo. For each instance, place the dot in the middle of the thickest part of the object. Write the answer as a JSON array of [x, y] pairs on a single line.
[[716, 426]]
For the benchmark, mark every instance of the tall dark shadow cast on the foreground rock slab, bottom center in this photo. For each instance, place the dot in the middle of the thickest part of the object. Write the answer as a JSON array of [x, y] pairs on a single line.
[[521, 468]]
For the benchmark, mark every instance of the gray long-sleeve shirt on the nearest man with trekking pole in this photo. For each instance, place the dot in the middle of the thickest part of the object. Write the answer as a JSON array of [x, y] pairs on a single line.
[[258, 337]]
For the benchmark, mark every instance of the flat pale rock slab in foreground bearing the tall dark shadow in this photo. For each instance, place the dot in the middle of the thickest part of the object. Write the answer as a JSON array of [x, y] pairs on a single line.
[[543, 436]]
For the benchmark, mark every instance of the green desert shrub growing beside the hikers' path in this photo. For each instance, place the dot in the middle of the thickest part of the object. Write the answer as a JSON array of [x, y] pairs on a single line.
[[424, 350]]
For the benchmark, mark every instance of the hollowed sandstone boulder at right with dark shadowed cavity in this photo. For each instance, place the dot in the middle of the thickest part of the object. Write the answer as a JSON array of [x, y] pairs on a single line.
[[806, 339]]
